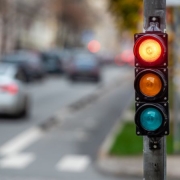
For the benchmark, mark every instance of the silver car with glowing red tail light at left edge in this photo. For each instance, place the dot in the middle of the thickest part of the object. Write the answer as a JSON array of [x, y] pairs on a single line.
[[14, 100]]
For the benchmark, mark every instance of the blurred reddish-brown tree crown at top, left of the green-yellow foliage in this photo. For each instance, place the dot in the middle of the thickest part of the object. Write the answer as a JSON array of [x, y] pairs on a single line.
[[73, 16]]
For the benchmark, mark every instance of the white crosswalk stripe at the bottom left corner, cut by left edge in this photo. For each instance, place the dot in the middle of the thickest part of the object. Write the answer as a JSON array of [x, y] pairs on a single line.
[[17, 161]]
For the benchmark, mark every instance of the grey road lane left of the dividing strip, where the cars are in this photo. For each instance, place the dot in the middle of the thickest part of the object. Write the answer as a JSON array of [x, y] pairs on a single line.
[[50, 96]]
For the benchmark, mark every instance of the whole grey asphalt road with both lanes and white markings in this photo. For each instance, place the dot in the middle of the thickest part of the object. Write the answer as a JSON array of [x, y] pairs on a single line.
[[61, 138]]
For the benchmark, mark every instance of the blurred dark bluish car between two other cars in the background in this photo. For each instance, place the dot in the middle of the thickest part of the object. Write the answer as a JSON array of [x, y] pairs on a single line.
[[55, 60]]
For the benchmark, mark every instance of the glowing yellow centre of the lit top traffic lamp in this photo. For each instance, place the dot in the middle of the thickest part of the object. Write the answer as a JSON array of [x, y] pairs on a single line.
[[150, 50]]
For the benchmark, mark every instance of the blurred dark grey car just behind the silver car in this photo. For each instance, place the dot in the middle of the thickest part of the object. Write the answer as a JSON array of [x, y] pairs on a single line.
[[30, 63]]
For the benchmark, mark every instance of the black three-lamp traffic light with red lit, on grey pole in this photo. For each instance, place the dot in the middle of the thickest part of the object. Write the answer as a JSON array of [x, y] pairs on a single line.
[[151, 84]]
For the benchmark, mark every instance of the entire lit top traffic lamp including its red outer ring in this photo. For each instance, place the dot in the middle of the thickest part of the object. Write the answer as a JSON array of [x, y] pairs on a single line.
[[149, 50]]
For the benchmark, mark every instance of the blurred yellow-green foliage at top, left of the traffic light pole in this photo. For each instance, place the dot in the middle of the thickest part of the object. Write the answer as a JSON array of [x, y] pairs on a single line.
[[127, 13]]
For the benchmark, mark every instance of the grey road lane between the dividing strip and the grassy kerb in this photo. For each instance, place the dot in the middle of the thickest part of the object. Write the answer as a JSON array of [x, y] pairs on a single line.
[[78, 137]]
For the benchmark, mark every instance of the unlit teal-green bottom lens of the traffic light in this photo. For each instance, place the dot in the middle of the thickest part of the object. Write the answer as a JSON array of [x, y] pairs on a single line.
[[151, 119]]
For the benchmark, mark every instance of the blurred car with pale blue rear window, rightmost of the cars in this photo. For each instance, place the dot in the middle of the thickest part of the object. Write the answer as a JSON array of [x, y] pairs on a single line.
[[84, 65]]
